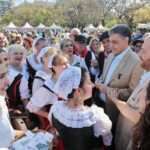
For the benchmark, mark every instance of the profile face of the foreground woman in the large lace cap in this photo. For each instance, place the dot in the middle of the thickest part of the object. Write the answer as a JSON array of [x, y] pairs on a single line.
[[87, 87]]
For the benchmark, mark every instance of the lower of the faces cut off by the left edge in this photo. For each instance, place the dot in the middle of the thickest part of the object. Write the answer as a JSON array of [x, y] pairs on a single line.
[[3, 81]]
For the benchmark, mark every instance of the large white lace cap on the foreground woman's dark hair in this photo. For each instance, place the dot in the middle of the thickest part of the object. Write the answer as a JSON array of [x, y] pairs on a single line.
[[68, 80]]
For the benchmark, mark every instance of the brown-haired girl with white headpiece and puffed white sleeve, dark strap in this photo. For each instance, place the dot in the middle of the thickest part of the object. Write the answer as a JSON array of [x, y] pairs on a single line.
[[45, 95]]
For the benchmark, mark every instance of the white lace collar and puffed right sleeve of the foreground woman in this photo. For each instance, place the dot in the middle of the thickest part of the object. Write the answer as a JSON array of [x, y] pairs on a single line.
[[83, 117]]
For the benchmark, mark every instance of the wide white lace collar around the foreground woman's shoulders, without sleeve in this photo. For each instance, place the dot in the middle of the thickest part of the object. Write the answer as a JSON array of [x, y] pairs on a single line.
[[75, 118]]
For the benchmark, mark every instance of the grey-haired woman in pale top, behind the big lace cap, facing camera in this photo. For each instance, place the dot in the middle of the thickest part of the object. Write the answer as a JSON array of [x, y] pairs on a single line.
[[67, 47]]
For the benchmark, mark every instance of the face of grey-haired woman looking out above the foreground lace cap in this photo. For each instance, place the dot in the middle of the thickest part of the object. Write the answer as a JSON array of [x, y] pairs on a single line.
[[68, 48]]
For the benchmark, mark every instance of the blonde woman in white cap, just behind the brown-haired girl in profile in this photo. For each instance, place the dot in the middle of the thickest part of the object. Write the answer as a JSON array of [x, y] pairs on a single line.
[[45, 55]]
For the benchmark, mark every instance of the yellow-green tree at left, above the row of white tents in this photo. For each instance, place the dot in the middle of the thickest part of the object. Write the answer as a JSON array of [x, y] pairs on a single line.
[[34, 14]]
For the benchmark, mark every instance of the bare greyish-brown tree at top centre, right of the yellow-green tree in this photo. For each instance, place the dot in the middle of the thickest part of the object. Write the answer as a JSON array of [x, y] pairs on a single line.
[[81, 12]]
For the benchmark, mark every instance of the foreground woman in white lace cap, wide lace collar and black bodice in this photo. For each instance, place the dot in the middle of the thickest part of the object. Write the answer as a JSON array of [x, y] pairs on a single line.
[[78, 125]]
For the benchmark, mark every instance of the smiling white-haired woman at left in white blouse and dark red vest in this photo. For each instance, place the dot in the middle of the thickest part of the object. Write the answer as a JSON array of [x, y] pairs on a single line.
[[17, 91]]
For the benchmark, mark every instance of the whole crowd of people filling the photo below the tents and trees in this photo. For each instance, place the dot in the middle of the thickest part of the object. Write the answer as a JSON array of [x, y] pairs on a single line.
[[90, 90]]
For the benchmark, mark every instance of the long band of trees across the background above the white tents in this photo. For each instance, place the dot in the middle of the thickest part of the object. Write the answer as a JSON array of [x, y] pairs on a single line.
[[78, 13]]
